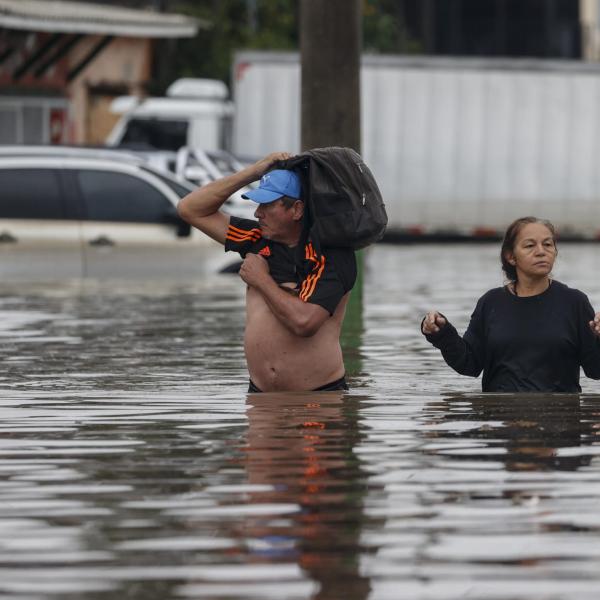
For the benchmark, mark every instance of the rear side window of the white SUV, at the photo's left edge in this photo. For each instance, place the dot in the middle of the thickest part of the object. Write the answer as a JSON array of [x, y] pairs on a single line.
[[30, 194]]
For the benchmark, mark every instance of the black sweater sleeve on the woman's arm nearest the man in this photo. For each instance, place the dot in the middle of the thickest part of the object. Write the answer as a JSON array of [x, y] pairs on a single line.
[[463, 354]]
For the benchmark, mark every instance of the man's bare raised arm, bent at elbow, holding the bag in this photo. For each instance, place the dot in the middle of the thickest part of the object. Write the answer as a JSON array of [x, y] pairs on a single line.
[[200, 208]]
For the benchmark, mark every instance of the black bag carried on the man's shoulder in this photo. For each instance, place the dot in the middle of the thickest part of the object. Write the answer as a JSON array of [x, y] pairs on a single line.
[[343, 205]]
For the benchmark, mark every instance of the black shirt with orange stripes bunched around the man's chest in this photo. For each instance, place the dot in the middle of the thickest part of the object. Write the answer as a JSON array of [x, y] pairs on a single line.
[[321, 279]]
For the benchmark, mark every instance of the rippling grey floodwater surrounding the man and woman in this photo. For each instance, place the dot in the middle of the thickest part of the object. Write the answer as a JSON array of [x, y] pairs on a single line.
[[134, 465]]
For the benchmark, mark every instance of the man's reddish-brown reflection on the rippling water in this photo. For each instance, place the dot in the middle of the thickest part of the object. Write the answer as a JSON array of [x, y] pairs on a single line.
[[302, 447]]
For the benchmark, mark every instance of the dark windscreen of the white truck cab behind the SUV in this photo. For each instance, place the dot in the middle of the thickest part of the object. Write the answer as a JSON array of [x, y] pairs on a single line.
[[154, 133]]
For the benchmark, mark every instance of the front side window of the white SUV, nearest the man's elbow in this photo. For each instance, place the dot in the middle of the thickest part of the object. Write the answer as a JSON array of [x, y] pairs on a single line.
[[111, 196]]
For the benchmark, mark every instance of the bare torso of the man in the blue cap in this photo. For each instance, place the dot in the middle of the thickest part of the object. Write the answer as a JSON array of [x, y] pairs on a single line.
[[279, 360]]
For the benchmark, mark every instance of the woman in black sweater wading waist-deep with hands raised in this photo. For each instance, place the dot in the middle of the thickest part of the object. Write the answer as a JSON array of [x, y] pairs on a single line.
[[531, 335]]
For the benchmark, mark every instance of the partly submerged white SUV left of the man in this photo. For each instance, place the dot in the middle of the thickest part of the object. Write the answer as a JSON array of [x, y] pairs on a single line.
[[72, 212]]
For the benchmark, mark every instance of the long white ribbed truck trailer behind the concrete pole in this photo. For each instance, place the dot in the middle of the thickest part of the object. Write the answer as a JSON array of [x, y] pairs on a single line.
[[458, 146]]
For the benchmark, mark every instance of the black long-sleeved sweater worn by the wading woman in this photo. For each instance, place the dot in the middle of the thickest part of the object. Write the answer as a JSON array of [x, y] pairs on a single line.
[[525, 344]]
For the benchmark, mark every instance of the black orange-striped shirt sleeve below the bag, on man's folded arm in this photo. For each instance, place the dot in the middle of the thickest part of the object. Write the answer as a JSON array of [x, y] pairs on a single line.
[[332, 276]]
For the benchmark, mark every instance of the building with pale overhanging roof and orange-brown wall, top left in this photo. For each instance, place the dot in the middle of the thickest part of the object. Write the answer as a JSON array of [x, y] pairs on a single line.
[[62, 63]]
